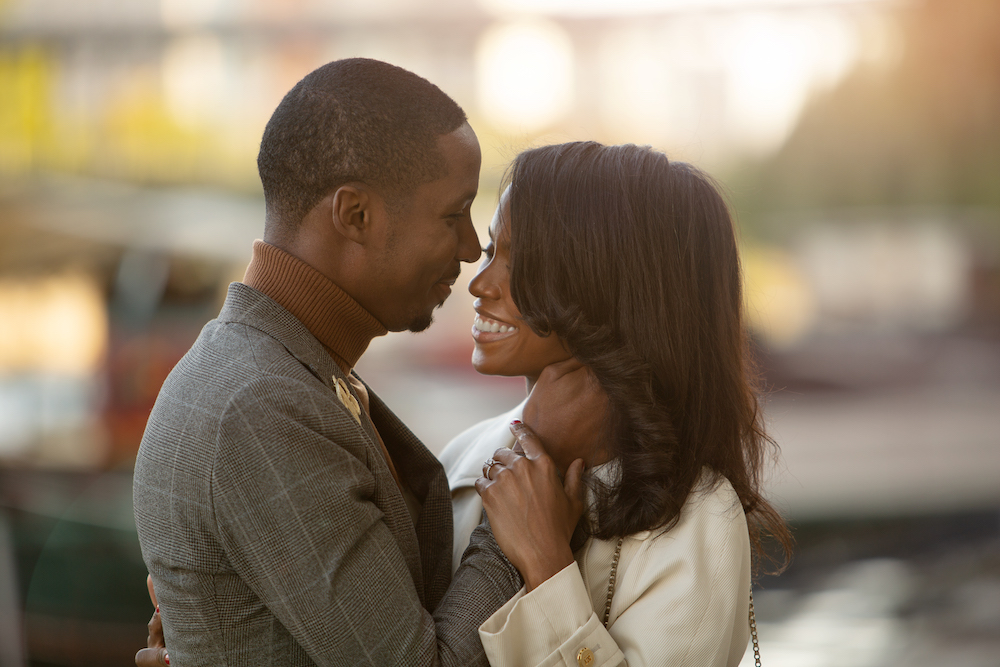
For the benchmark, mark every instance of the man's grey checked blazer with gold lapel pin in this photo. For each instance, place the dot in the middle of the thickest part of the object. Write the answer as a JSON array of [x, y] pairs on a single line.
[[272, 526]]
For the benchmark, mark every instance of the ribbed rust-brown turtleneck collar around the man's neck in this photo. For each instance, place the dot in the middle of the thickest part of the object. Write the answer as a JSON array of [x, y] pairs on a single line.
[[339, 322]]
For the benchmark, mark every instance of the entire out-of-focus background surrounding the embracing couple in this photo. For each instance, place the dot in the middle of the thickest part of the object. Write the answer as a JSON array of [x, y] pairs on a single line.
[[858, 142]]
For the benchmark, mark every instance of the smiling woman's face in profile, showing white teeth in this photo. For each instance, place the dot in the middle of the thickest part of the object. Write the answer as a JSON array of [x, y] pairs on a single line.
[[505, 345]]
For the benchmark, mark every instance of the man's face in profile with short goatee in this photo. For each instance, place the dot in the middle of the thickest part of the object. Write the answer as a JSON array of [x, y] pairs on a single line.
[[426, 241]]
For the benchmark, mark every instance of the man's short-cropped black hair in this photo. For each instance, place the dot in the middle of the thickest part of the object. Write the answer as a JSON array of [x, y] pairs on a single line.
[[352, 120]]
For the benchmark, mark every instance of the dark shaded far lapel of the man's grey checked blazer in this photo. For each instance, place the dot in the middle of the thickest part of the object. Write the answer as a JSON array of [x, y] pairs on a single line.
[[425, 476]]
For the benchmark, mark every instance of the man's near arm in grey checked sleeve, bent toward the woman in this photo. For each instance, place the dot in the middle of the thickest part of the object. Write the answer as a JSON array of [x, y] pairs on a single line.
[[295, 507]]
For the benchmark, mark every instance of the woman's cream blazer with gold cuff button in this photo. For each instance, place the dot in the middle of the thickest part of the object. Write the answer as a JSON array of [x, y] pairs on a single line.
[[682, 597]]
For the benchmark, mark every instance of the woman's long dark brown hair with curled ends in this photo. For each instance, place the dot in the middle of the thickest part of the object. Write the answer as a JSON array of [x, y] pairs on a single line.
[[632, 261]]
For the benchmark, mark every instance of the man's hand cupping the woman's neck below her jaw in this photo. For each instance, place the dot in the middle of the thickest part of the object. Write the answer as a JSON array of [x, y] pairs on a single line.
[[567, 409]]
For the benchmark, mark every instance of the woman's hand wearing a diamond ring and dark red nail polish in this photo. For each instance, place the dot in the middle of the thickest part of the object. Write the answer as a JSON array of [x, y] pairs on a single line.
[[532, 511]]
